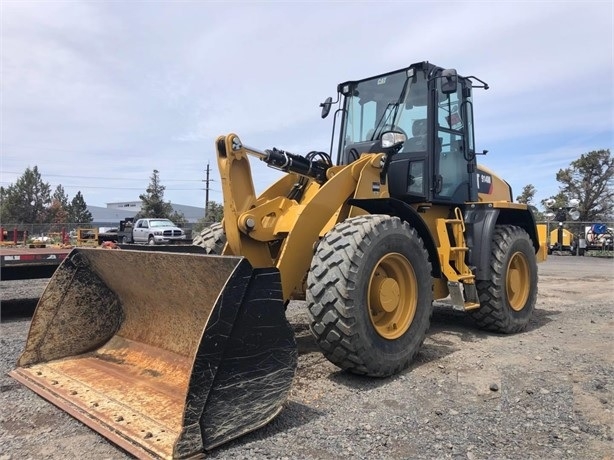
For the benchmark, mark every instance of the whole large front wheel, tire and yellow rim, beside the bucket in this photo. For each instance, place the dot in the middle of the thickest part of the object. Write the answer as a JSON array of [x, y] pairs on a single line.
[[369, 294]]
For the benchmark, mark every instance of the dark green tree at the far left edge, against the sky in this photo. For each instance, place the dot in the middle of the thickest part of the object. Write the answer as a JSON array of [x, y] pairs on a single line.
[[26, 201]]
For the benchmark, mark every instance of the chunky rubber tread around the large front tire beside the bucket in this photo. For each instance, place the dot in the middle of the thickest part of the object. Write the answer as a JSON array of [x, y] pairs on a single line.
[[331, 283]]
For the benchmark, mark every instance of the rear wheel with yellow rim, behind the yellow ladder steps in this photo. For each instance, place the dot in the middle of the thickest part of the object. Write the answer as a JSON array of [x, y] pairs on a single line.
[[508, 298]]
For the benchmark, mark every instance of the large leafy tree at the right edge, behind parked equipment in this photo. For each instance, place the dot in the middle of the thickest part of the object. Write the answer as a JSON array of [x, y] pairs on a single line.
[[589, 179]]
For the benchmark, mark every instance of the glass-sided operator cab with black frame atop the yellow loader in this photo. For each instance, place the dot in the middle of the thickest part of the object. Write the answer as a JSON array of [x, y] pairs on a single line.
[[432, 107]]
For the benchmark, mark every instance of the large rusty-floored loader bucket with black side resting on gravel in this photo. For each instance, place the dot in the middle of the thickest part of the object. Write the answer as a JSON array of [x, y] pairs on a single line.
[[165, 354]]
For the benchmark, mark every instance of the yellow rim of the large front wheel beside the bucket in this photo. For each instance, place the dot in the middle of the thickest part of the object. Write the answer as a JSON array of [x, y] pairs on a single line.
[[392, 296]]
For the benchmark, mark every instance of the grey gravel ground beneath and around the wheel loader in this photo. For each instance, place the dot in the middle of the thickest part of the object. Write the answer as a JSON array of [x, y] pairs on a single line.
[[546, 393]]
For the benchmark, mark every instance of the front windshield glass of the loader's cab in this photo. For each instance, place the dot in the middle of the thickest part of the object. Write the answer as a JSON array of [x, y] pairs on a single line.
[[383, 104]]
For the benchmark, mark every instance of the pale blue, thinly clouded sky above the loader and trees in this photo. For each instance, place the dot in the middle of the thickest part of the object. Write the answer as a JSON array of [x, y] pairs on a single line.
[[99, 94]]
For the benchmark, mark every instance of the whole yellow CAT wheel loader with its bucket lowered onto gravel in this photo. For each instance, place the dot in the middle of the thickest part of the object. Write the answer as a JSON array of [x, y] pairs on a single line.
[[169, 354]]
